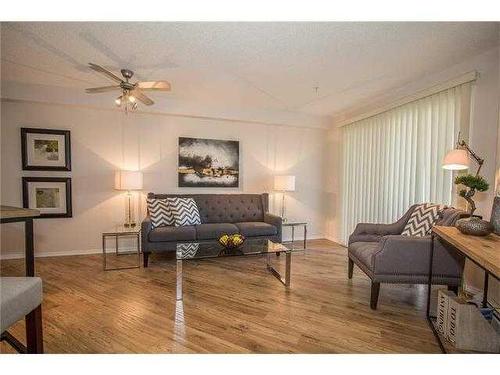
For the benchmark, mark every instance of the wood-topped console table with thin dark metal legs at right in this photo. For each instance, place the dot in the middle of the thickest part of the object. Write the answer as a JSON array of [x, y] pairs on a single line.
[[482, 251]]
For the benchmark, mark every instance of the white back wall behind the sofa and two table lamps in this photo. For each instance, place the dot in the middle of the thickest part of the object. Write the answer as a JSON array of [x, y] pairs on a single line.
[[149, 143]]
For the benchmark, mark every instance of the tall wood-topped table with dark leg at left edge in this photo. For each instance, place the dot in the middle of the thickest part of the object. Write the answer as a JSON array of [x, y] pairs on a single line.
[[9, 214]]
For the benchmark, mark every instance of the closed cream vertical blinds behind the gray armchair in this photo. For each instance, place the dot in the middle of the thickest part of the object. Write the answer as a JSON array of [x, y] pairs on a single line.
[[393, 160]]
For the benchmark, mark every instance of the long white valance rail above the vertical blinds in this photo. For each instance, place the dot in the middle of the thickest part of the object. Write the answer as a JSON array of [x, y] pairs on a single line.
[[464, 78]]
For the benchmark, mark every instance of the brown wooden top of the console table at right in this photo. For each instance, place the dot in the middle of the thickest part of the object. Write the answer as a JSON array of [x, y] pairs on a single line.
[[483, 250]]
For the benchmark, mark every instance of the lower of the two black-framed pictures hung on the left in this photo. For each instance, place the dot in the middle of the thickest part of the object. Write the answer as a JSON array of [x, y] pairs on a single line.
[[50, 195]]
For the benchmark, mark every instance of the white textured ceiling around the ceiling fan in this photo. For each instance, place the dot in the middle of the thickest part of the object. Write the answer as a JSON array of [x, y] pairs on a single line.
[[264, 66]]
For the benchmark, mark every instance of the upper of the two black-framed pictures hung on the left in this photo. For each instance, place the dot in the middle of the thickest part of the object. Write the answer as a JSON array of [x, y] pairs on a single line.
[[46, 149]]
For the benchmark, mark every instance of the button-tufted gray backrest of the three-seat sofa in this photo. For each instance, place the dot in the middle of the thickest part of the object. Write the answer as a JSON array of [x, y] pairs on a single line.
[[226, 208]]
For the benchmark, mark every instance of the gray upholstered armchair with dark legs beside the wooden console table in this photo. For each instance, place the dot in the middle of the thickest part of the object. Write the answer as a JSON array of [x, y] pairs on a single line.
[[386, 256]]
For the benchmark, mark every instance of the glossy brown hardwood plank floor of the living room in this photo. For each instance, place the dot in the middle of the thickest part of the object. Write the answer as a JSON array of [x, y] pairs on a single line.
[[231, 305]]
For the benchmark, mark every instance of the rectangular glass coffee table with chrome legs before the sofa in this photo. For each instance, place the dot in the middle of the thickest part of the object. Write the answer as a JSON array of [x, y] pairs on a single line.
[[206, 250]]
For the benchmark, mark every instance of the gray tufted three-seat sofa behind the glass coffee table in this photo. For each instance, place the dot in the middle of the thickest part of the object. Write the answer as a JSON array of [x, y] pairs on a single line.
[[220, 213]]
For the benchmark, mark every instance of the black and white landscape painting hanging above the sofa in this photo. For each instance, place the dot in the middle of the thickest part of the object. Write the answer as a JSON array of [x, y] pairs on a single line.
[[208, 163]]
